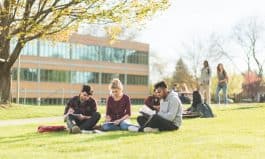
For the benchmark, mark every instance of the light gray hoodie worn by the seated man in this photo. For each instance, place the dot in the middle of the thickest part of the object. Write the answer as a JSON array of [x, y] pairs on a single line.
[[171, 108]]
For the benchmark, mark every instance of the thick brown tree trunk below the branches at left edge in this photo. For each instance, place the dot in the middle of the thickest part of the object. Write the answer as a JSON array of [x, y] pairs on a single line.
[[5, 85]]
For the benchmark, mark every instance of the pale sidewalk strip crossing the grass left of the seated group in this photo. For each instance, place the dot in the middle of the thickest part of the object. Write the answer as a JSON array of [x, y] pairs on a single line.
[[41, 121]]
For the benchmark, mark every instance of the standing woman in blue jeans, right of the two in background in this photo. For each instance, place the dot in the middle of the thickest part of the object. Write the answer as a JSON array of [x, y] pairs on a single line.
[[222, 83]]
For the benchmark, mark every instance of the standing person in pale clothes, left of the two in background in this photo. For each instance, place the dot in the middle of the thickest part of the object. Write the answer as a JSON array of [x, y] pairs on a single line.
[[205, 82]]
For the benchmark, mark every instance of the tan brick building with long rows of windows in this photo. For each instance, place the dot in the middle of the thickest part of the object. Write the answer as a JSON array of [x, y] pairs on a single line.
[[52, 72]]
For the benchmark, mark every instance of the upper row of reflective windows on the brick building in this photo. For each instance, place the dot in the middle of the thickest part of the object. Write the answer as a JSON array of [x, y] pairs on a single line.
[[82, 52]]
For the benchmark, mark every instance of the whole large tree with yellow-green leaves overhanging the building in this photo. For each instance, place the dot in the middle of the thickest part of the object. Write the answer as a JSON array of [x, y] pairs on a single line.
[[26, 20]]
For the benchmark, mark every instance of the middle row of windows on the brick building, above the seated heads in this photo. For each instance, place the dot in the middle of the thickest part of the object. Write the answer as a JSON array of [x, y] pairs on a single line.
[[76, 77]]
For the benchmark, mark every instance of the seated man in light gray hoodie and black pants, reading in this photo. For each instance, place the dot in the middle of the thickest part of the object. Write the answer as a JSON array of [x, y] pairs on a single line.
[[169, 116]]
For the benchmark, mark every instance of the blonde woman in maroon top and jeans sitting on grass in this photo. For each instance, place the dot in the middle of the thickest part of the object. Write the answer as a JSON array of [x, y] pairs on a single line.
[[118, 108]]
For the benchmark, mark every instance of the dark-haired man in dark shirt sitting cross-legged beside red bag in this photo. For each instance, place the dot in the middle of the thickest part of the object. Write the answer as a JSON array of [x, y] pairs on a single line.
[[81, 111]]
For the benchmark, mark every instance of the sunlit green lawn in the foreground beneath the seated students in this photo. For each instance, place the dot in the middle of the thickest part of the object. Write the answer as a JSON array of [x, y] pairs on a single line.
[[237, 131]]
